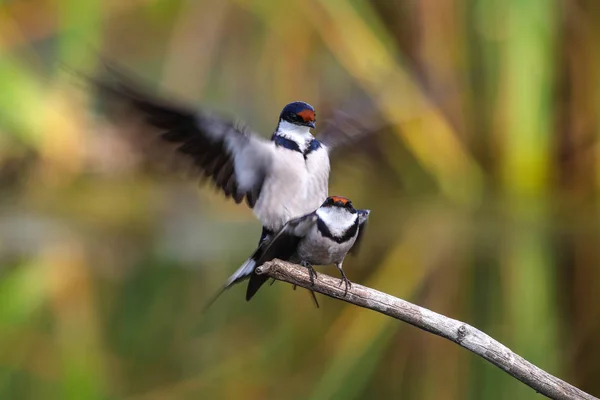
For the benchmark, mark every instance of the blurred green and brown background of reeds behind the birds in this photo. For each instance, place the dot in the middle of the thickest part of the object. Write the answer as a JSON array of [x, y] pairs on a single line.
[[484, 190]]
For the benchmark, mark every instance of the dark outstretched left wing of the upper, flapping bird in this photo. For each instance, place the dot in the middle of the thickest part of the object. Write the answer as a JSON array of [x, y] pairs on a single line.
[[234, 159]]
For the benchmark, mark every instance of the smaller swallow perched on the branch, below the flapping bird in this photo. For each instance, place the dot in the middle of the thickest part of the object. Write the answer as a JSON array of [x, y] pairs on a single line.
[[322, 237]]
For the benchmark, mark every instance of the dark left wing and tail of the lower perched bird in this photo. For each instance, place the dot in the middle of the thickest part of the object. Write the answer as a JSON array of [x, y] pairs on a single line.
[[283, 245]]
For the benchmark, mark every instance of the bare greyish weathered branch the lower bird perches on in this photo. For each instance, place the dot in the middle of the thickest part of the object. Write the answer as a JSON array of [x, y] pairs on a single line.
[[463, 334]]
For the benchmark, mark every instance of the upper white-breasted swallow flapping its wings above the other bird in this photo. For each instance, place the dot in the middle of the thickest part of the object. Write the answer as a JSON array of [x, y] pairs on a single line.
[[281, 179]]
